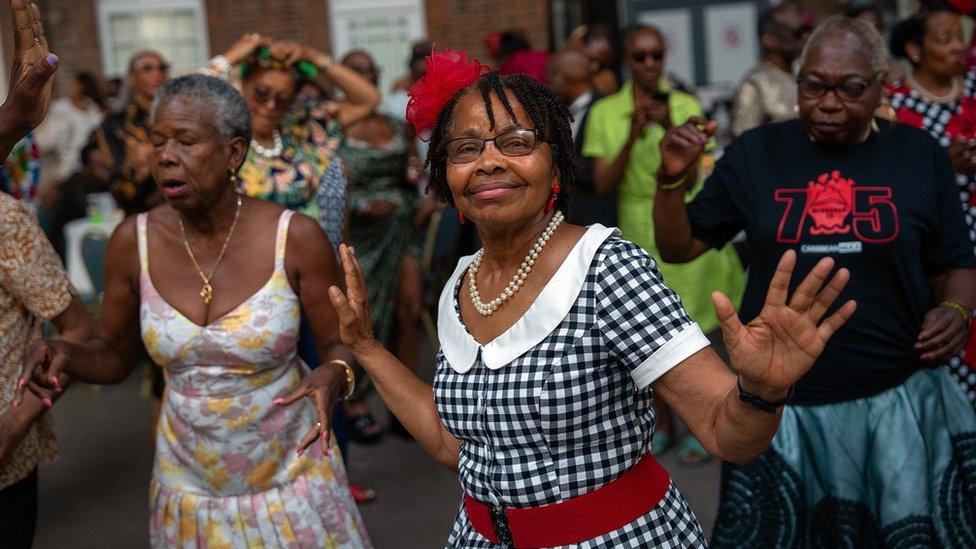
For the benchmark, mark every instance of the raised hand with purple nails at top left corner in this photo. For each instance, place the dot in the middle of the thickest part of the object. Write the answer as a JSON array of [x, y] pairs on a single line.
[[30, 79]]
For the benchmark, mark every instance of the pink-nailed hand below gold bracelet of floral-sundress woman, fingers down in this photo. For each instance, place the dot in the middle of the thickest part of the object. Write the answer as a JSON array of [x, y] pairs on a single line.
[[324, 385]]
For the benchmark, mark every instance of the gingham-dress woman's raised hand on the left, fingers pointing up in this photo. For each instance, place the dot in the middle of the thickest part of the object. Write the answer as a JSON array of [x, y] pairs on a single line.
[[355, 324]]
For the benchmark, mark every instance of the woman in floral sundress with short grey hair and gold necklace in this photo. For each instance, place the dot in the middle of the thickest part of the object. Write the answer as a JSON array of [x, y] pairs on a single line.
[[242, 459]]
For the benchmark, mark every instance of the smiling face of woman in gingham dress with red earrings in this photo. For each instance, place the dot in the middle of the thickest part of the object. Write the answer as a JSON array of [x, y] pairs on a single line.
[[495, 189]]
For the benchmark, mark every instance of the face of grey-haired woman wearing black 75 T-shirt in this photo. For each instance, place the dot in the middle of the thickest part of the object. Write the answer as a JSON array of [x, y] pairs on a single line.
[[836, 118]]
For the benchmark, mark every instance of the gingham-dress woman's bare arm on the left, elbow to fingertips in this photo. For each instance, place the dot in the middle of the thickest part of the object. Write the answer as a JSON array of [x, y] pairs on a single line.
[[408, 397]]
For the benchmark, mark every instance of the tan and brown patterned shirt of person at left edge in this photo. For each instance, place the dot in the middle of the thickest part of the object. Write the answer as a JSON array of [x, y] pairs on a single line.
[[33, 289]]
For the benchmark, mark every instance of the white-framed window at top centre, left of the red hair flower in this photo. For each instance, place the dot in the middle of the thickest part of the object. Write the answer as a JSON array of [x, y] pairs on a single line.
[[385, 28]]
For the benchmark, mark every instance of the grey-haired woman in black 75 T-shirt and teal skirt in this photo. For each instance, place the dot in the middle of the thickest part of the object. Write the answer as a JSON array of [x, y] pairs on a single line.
[[877, 446]]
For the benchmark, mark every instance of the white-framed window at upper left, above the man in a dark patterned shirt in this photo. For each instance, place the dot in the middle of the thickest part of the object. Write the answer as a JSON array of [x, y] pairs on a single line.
[[175, 28]]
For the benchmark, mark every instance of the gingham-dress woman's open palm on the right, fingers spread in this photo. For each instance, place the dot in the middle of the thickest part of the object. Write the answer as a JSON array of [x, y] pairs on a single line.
[[775, 349]]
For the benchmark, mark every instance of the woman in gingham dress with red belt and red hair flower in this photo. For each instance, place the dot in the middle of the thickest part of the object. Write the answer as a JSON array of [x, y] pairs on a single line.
[[542, 397]]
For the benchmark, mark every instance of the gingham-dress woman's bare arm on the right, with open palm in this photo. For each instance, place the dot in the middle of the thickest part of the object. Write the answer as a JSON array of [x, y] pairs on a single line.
[[768, 356]]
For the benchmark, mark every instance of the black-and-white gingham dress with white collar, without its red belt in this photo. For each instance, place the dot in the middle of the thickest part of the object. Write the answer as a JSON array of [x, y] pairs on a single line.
[[601, 331]]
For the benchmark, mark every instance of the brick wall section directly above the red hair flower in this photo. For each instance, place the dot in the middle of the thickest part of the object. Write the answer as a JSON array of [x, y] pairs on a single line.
[[464, 24]]
